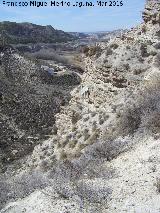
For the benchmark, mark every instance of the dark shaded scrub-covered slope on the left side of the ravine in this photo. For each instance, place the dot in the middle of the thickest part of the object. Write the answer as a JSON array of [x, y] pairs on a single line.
[[30, 97]]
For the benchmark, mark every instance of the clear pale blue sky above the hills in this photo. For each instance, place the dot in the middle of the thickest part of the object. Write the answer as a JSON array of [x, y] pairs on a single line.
[[73, 19]]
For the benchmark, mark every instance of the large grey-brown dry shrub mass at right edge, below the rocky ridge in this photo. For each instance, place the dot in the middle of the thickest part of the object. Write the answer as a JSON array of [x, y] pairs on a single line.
[[143, 111]]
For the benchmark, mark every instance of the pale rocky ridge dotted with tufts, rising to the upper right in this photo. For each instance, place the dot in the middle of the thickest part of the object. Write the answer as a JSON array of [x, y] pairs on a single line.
[[114, 73]]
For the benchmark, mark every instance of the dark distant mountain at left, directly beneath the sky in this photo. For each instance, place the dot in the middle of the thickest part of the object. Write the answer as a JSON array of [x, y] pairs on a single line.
[[31, 33]]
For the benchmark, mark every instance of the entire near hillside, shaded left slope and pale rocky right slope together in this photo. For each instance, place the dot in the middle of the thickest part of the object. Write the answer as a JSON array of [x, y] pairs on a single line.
[[98, 132]]
